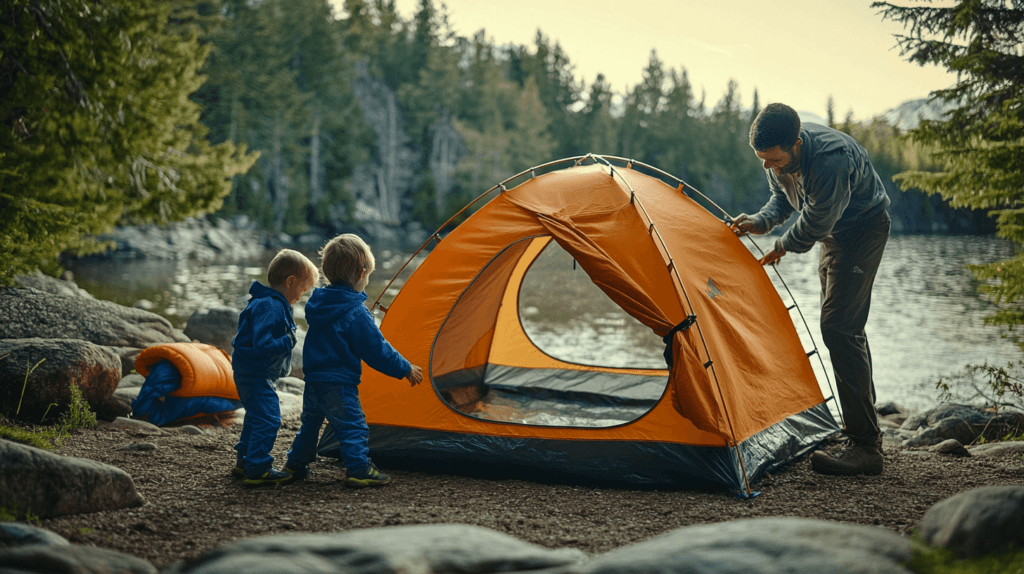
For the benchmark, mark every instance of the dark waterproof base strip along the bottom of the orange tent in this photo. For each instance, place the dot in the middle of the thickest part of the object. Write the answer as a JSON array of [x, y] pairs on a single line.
[[612, 464]]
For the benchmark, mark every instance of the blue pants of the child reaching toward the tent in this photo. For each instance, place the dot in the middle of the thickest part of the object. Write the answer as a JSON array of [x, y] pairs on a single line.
[[338, 404]]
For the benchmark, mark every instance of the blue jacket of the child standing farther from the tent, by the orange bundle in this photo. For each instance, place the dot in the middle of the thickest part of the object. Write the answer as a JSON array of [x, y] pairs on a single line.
[[267, 336]]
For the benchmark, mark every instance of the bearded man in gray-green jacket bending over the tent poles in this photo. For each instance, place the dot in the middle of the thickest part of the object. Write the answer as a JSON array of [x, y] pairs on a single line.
[[827, 179]]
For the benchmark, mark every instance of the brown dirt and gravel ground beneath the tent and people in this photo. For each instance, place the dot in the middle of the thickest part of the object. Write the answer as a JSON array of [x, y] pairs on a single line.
[[193, 505]]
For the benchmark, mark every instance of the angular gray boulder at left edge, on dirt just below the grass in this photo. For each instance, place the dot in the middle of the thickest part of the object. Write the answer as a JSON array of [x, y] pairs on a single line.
[[50, 485]]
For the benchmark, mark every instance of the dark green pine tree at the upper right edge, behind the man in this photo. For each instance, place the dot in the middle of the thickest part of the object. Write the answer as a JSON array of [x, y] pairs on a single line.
[[980, 143]]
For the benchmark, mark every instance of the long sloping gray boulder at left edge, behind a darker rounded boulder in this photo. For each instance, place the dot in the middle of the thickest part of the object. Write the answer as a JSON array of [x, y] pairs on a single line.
[[27, 313]]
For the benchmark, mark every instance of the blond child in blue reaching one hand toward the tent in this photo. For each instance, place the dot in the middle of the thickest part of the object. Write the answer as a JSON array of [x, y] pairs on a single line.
[[343, 335]]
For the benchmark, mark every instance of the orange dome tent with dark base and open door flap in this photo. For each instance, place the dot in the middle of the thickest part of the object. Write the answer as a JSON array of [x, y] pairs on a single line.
[[740, 399]]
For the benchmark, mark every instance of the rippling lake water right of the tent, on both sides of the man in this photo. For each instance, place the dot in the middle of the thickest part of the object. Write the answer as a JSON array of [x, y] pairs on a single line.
[[927, 318]]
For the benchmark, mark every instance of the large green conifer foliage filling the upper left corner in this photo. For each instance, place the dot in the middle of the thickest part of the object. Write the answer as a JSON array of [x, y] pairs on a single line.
[[99, 129]]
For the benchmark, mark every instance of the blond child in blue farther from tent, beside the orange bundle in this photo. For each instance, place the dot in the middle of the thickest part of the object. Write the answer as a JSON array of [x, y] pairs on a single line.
[[263, 355]]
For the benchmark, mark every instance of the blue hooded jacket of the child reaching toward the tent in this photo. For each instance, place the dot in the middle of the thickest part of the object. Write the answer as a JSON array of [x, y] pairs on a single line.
[[343, 334]]
